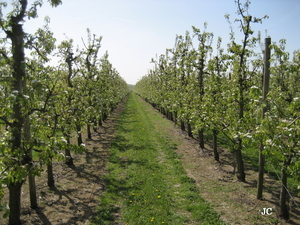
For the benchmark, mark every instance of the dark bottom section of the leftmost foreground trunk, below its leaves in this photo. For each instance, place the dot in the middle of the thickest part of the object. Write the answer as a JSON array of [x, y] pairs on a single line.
[[15, 203]]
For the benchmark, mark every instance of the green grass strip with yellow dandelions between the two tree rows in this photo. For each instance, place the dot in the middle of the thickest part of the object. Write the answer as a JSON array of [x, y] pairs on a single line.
[[146, 183]]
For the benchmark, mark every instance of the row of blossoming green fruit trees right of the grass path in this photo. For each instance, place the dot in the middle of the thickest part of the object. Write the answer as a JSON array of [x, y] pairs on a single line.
[[209, 90]]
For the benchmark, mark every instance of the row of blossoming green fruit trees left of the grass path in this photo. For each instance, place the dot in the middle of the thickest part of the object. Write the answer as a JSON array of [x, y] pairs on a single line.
[[44, 104]]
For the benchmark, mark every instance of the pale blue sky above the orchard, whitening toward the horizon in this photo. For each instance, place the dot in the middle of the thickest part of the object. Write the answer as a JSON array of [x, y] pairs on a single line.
[[134, 31]]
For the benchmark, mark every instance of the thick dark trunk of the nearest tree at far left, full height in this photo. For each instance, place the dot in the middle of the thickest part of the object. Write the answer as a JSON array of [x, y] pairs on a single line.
[[16, 36]]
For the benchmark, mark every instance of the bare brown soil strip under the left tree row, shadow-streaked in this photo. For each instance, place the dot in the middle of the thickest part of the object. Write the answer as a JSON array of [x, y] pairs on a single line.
[[74, 199]]
